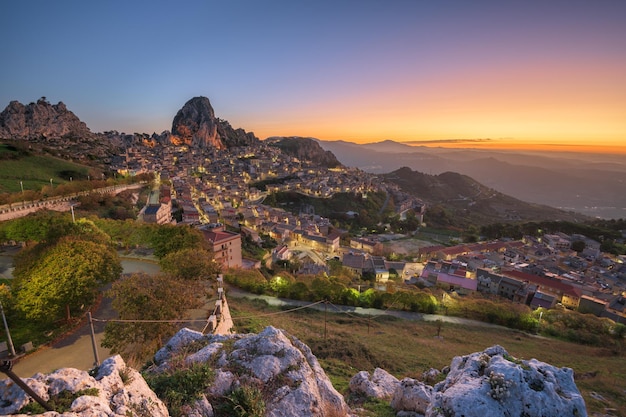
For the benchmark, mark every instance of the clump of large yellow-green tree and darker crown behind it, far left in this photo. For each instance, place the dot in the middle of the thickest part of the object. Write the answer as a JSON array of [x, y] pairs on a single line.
[[64, 271]]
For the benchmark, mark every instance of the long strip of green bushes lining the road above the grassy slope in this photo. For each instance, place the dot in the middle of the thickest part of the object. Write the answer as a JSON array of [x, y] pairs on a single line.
[[564, 324]]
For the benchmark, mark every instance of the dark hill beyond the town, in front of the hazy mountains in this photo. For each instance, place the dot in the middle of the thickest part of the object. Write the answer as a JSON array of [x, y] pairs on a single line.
[[465, 201]]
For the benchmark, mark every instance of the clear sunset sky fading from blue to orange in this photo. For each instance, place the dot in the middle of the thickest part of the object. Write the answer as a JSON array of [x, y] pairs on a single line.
[[451, 73]]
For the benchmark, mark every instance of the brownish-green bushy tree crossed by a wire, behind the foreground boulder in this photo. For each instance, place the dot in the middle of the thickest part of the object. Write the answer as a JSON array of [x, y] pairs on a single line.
[[142, 296]]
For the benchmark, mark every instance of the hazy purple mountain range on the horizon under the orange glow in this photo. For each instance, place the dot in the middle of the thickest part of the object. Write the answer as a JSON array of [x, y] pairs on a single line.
[[593, 184]]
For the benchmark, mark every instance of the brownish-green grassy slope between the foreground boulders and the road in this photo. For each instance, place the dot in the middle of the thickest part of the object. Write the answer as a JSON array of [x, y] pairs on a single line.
[[346, 344]]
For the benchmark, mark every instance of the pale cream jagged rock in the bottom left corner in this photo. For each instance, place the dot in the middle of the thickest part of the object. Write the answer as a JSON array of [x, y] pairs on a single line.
[[114, 390]]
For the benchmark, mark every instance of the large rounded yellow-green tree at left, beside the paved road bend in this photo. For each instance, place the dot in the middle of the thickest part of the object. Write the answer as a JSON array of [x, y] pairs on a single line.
[[64, 277]]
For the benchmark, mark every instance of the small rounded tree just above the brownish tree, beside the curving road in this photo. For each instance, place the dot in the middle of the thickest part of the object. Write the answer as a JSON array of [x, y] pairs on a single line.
[[190, 264]]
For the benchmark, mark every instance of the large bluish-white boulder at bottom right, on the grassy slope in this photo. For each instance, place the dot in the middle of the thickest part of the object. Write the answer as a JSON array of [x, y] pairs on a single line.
[[493, 384]]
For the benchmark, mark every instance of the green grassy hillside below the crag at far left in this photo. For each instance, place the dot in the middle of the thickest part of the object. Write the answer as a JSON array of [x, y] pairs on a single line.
[[34, 171]]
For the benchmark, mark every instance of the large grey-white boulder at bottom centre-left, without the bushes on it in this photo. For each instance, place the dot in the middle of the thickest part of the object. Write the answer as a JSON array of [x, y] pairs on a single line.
[[288, 374]]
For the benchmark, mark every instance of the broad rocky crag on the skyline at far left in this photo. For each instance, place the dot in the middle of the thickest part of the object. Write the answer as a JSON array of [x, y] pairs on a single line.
[[40, 120]]
